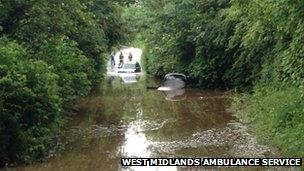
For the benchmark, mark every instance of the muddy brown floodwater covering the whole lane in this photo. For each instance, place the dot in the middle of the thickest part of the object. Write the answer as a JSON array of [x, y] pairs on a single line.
[[129, 120]]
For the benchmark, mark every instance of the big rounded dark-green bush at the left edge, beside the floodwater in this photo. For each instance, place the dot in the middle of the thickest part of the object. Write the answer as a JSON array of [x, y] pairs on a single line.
[[30, 105]]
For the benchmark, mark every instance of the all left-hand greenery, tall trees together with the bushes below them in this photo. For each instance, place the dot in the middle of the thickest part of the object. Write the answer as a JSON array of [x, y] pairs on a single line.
[[51, 52]]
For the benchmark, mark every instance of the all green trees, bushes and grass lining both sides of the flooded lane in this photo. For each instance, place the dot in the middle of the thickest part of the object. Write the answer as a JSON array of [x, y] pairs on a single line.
[[53, 52]]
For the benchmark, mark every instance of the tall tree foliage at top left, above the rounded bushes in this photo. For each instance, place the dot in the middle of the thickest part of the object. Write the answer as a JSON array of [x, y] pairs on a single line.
[[95, 26]]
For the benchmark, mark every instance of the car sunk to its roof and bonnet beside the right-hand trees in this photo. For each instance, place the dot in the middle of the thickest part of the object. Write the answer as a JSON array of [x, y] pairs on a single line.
[[173, 81]]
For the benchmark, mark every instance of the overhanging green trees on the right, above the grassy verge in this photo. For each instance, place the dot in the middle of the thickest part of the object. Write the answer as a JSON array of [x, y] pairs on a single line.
[[220, 43]]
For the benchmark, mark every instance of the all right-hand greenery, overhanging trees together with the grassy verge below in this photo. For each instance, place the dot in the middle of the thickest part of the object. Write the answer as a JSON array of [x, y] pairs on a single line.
[[252, 46]]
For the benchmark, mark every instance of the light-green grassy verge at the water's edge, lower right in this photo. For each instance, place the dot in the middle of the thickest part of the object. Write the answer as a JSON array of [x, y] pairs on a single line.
[[276, 115]]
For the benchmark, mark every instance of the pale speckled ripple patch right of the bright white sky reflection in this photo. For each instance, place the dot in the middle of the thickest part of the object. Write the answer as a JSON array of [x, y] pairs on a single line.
[[234, 138]]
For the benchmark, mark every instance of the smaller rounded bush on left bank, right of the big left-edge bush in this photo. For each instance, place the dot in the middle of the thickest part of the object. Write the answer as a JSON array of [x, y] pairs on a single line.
[[72, 67]]
